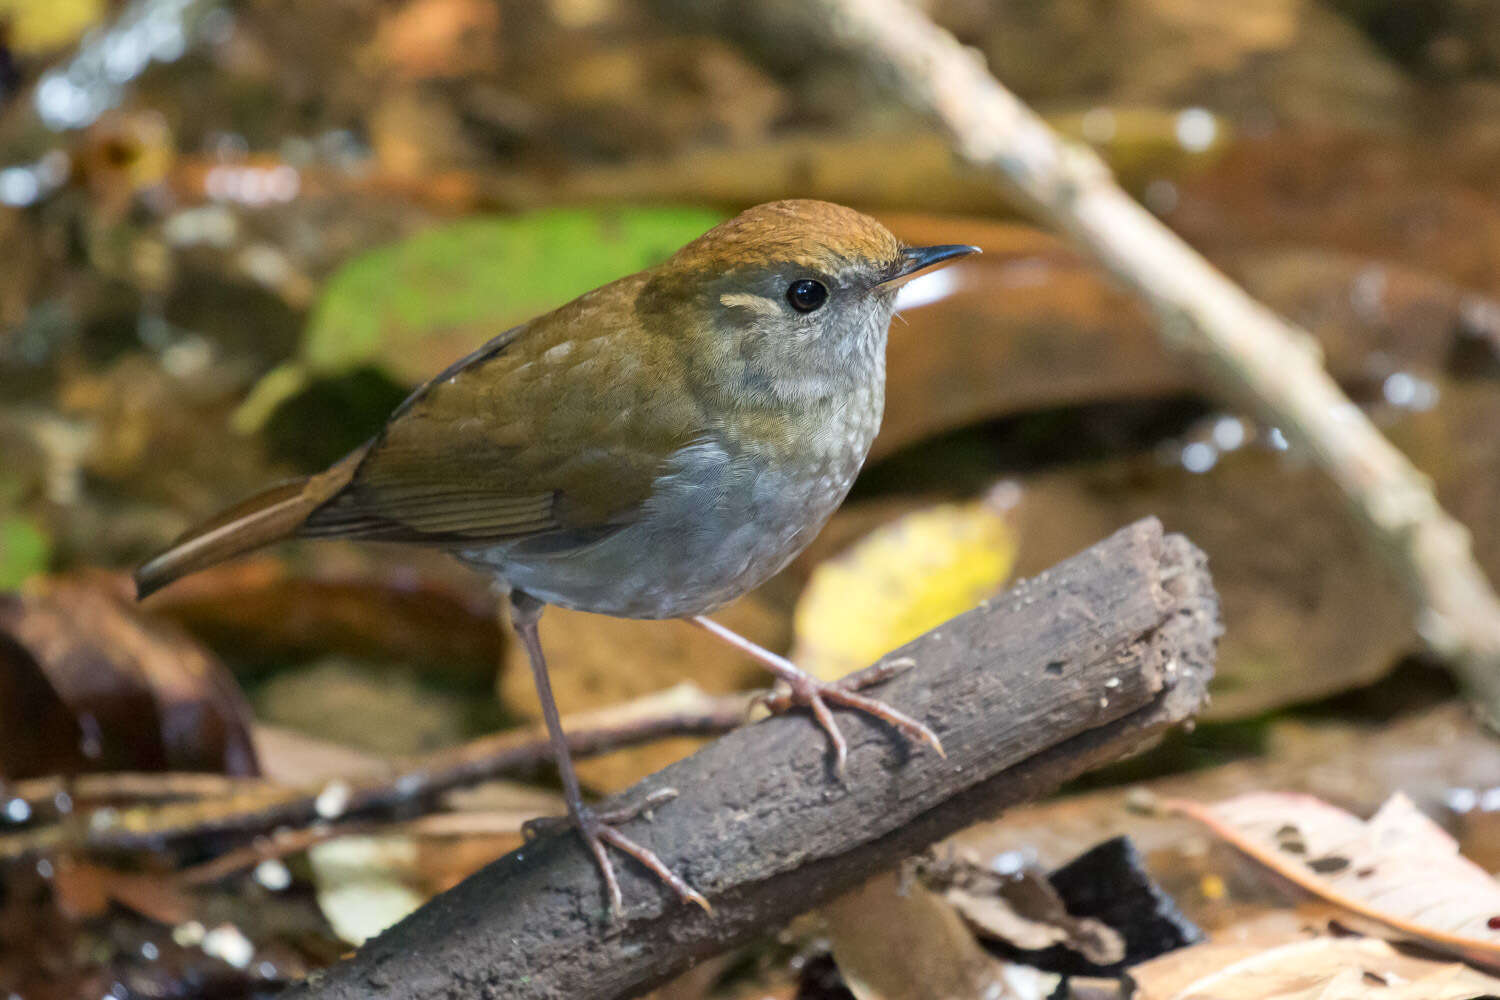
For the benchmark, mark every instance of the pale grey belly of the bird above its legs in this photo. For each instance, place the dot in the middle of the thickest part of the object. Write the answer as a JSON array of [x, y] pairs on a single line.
[[716, 527]]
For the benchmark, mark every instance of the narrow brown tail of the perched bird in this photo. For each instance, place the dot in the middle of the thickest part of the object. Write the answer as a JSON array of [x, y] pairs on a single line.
[[260, 521]]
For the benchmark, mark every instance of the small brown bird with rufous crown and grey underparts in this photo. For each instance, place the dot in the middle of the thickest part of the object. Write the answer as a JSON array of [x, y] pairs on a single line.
[[653, 449]]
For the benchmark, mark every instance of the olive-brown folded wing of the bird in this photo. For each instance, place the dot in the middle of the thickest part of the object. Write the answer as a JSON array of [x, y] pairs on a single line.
[[557, 430]]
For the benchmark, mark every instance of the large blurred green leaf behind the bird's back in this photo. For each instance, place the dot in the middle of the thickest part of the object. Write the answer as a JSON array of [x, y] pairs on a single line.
[[415, 307]]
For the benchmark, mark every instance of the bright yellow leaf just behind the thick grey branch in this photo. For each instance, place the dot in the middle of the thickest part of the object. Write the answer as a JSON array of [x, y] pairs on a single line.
[[899, 582]]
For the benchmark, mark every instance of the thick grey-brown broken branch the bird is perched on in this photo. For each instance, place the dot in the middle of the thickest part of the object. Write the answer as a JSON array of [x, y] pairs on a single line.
[[1075, 668]]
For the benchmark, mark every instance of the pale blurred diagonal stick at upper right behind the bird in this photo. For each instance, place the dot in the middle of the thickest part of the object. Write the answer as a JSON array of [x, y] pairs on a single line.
[[1261, 359]]
